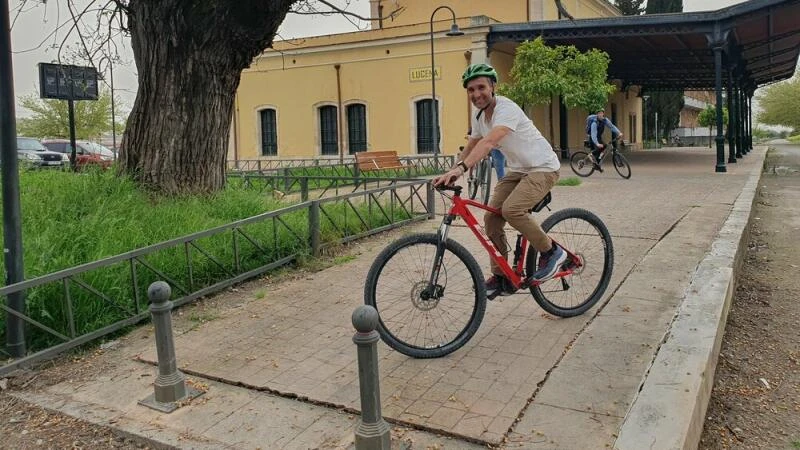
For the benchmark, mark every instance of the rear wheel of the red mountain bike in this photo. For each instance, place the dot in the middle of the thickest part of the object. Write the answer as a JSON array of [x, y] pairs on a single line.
[[584, 234]]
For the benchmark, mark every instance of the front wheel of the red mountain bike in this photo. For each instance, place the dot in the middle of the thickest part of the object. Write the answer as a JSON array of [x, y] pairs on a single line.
[[393, 286]]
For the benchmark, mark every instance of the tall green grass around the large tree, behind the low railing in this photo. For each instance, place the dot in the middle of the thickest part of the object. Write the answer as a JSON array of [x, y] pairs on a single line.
[[71, 219]]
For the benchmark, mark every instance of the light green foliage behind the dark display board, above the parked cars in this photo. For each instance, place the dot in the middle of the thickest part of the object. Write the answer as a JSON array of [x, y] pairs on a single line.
[[51, 117]]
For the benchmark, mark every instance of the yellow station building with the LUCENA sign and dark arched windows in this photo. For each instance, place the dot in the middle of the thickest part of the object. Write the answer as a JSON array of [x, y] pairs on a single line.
[[371, 90]]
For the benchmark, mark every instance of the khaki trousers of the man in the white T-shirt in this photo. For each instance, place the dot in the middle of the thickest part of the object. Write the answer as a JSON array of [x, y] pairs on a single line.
[[514, 195]]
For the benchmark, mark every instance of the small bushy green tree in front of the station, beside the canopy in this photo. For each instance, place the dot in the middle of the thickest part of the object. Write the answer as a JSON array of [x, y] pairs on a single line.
[[541, 72]]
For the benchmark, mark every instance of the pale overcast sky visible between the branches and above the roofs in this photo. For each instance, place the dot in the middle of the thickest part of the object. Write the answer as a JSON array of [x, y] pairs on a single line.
[[31, 45]]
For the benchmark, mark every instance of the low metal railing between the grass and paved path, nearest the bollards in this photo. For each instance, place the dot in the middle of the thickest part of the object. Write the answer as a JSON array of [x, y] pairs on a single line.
[[250, 247]]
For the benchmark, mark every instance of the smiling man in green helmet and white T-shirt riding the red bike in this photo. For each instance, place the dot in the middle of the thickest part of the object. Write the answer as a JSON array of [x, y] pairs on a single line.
[[532, 172]]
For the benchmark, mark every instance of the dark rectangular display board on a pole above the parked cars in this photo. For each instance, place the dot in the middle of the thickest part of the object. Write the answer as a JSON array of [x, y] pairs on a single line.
[[65, 82]]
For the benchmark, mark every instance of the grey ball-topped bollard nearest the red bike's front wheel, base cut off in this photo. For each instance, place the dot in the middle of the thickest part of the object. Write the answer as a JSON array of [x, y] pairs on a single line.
[[372, 431]]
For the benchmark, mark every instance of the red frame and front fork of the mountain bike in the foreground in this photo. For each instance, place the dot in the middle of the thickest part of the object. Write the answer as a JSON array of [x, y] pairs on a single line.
[[459, 208]]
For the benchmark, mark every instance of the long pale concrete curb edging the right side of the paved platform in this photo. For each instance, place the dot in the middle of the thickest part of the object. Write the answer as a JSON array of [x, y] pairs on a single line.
[[669, 411]]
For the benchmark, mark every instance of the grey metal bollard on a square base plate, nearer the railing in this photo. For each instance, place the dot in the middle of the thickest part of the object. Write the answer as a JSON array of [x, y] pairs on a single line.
[[170, 385]]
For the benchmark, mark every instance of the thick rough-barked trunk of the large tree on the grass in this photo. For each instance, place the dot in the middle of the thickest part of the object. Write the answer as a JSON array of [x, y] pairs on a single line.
[[189, 56]]
